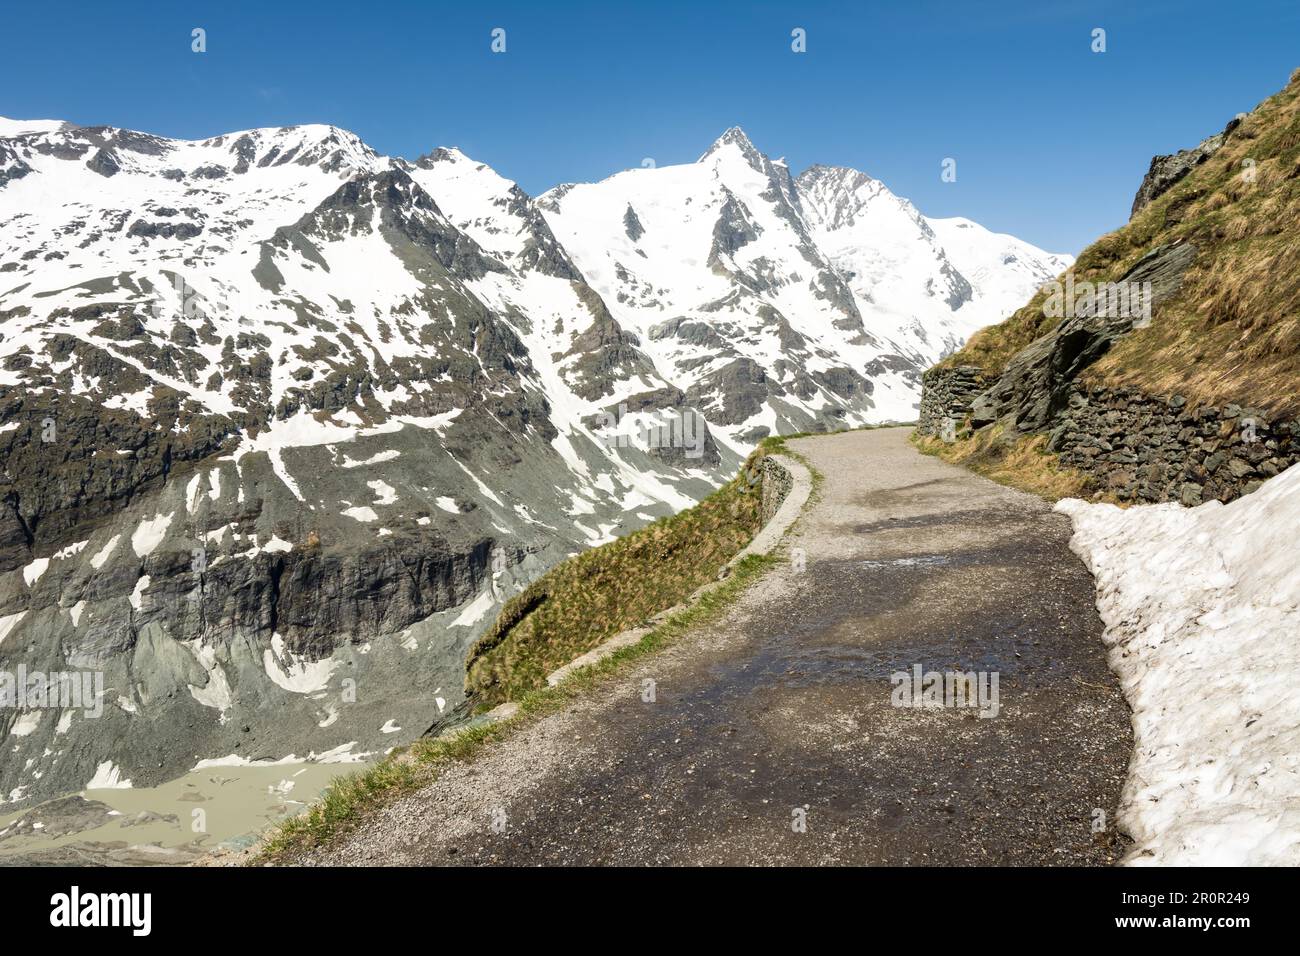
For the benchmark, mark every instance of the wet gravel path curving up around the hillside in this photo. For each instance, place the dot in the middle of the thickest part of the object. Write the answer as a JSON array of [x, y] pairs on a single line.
[[773, 737]]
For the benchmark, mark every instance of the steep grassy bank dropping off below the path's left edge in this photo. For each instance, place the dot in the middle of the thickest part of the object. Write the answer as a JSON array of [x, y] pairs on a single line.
[[596, 595]]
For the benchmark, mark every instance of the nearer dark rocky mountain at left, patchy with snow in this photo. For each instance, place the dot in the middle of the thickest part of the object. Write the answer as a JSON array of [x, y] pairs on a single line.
[[279, 438]]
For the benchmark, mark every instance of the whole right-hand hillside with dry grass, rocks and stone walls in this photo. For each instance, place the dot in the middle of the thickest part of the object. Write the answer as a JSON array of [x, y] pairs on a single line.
[[1195, 395]]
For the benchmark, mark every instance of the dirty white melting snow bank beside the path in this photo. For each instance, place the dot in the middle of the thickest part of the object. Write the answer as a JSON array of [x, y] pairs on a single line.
[[1203, 621]]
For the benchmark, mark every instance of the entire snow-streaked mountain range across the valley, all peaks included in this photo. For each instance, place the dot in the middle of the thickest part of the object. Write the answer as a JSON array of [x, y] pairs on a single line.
[[285, 419]]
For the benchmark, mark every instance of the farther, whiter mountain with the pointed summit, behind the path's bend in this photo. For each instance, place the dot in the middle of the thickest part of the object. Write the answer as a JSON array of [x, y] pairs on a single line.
[[783, 302]]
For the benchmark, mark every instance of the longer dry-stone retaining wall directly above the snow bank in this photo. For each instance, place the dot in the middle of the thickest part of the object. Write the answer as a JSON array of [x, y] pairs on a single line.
[[1150, 449]]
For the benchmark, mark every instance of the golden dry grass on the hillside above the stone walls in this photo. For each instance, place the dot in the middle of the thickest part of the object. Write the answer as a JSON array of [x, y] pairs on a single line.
[[1233, 331]]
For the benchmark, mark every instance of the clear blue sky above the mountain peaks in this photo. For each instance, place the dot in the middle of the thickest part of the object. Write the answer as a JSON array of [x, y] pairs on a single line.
[[1051, 140]]
